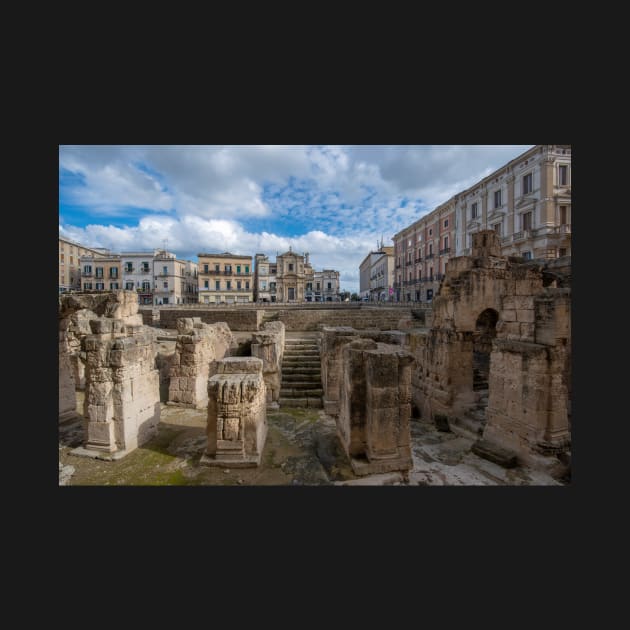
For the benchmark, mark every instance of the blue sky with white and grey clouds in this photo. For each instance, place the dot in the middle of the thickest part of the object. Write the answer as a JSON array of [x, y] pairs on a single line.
[[335, 202]]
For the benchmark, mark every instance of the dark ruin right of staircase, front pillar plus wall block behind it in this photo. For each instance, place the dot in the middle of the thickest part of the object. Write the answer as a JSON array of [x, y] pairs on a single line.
[[366, 376]]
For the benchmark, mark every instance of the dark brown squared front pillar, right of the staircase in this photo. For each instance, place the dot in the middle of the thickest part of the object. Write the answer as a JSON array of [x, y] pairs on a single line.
[[375, 406]]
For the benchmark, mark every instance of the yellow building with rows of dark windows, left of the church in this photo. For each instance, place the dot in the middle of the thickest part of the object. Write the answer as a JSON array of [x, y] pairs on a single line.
[[225, 278]]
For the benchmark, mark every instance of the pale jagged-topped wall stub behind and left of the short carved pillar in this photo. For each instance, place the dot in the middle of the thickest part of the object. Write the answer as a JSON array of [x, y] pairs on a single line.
[[199, 347]]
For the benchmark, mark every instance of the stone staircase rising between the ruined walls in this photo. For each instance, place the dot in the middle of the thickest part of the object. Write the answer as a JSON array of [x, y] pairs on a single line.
[[301, 374]]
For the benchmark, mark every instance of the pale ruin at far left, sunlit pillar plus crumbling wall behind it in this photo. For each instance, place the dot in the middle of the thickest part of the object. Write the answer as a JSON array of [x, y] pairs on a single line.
[[122, 404]]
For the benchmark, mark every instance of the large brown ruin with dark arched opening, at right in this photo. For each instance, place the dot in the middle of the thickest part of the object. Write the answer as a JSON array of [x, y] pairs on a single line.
[[496, 362]]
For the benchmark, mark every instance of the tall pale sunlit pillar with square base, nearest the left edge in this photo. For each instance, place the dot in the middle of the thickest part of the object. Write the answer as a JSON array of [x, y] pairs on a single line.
[[122, 396]]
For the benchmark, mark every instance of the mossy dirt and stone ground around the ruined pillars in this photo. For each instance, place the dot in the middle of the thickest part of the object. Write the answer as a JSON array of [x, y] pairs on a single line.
[[301, 449]]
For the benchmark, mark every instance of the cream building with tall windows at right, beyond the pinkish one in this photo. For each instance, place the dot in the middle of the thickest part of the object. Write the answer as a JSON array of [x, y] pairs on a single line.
[[527, 202]]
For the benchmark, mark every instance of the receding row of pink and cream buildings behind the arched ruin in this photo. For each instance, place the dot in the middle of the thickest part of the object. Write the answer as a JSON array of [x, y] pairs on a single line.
[[527, 202]]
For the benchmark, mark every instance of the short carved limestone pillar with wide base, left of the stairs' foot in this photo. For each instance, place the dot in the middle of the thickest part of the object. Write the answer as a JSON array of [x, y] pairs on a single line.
[[237, 416]]
